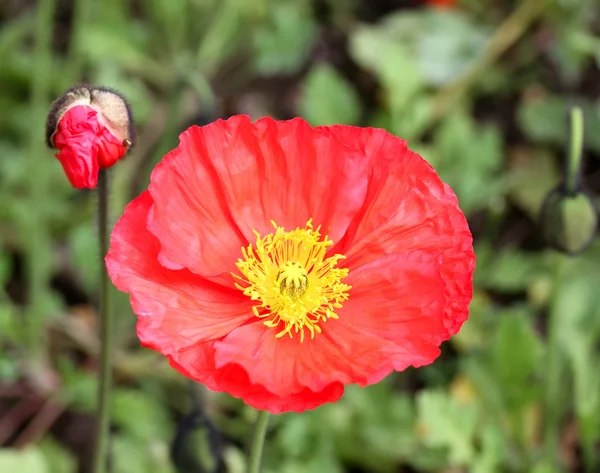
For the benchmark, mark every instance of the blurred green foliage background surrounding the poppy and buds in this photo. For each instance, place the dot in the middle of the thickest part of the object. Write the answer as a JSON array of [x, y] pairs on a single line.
[[481, 90]]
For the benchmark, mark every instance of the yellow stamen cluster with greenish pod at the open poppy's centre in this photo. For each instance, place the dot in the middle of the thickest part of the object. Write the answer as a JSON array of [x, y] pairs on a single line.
[[296, 287]]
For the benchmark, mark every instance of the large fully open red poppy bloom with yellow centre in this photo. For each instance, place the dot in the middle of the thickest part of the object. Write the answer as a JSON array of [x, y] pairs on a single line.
[[232, 279]]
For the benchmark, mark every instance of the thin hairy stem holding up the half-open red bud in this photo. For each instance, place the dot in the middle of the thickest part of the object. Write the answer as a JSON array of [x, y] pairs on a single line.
[[104, 384]]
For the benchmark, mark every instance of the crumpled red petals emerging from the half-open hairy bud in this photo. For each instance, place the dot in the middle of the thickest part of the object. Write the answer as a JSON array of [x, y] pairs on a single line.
[[85, 146]]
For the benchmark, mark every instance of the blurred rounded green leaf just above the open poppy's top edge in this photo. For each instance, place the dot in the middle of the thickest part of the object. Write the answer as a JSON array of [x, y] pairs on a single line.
[[327, 98]]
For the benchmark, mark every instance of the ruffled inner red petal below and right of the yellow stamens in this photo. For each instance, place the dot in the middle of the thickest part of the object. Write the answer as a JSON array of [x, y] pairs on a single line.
[[392, 320]]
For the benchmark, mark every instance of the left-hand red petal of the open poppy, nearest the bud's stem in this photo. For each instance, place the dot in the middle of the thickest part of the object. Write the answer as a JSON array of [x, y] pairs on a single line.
[[176, 309]]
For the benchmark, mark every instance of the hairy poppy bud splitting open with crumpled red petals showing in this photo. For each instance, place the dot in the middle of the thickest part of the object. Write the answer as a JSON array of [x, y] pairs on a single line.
[[92, 128]]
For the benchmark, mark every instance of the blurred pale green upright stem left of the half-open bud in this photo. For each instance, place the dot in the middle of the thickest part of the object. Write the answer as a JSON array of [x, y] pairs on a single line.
[[32, 221]]
